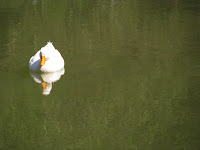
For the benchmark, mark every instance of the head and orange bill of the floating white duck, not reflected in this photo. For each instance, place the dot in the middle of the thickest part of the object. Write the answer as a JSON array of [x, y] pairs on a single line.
[[46, 53]]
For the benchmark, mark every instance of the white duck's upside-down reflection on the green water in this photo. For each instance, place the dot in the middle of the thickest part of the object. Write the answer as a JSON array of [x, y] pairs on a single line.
[[46, 79]]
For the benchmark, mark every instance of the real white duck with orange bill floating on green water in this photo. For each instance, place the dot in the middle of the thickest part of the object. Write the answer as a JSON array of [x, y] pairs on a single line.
[[47, 59]]
